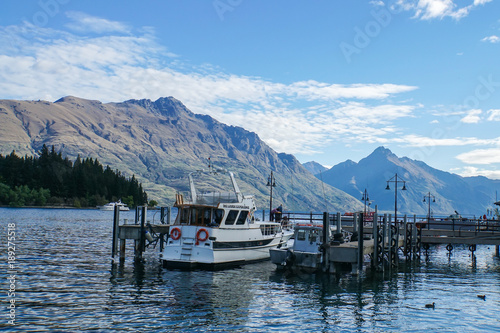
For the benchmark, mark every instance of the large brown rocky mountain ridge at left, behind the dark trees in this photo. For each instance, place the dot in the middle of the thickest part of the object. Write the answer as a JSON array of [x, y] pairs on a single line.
[[161, 142]]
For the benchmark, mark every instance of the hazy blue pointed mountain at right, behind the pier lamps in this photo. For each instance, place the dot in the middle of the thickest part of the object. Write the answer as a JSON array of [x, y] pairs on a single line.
[[467, 195]]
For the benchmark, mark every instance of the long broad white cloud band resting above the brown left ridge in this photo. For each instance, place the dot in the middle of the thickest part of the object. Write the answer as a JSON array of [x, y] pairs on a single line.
[[117, 67]]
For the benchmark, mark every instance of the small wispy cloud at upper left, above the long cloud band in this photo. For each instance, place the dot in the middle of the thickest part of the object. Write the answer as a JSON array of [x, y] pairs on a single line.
[[85, 23]]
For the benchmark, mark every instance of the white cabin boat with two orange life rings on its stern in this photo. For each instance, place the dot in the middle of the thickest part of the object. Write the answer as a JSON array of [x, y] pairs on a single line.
[[218, 229]]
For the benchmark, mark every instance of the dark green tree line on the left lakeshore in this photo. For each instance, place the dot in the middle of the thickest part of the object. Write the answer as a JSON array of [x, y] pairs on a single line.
[[51, 179]]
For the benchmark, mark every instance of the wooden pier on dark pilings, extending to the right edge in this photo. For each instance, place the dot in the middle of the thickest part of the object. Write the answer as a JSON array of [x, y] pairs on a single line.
[[382, 239]]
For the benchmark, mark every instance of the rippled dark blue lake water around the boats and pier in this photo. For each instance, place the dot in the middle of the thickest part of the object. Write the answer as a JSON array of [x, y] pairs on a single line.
[[65, 282]]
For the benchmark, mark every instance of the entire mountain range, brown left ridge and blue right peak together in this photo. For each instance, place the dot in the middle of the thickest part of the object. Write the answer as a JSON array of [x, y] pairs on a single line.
[[161, 141]]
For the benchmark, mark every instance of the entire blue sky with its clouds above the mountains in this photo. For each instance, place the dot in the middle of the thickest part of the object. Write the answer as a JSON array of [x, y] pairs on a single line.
[[326, 81]]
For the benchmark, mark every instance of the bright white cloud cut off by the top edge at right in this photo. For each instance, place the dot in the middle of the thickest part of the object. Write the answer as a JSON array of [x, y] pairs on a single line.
[[438, 9]]
